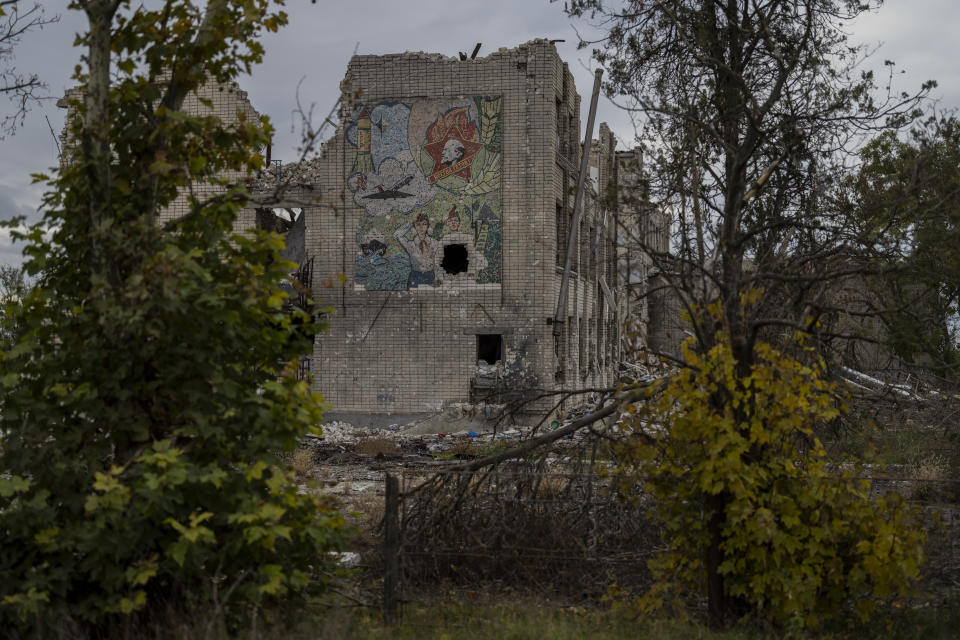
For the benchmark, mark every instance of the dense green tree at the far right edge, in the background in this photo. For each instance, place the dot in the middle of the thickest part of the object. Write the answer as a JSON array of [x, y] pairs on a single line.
[[907, 191]]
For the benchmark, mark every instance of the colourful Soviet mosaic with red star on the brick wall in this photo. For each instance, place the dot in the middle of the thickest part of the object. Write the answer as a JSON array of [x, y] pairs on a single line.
[[427, 175]]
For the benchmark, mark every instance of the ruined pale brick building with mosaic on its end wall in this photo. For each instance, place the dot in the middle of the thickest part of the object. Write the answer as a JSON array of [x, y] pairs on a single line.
[[446, 201]]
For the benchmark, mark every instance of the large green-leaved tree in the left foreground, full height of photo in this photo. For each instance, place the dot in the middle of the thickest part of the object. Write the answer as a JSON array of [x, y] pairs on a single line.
[[153, 381]]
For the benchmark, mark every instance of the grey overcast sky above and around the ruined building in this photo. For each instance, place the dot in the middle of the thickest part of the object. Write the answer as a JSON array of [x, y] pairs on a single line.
[[919, 35]]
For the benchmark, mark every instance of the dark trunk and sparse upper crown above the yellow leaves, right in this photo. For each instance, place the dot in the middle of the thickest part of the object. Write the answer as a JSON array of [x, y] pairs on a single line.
[[752, 110]]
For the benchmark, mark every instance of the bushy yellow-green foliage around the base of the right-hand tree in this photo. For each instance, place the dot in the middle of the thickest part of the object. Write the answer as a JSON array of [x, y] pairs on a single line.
[[737, 470]]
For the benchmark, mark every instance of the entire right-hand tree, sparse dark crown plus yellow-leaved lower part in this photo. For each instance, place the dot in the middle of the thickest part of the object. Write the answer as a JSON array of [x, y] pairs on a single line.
[[752, 112]]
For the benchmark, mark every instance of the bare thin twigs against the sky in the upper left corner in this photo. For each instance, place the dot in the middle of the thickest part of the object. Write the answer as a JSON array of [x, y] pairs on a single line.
[[21, 89]]
